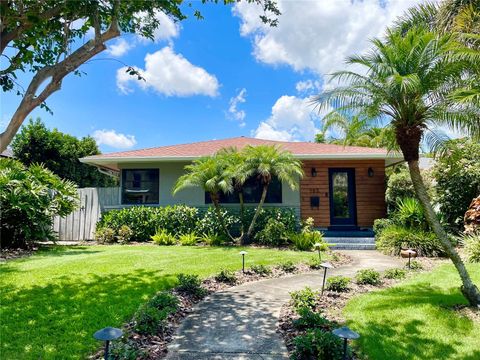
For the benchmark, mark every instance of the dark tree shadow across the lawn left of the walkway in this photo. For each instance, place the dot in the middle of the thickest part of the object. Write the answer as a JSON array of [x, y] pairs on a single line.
[[57, 321]]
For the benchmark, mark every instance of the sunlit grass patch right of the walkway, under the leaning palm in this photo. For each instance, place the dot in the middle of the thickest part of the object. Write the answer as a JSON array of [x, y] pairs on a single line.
[[413, 321]]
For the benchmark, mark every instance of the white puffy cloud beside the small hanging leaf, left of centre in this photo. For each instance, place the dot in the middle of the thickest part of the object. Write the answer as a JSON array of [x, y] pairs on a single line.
[[170, 74]]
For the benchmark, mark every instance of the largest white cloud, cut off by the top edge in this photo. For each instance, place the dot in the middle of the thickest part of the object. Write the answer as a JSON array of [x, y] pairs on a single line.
[[318, 35]]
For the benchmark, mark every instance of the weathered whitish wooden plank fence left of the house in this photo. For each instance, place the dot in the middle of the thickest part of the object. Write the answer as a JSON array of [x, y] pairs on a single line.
[[80, 224]]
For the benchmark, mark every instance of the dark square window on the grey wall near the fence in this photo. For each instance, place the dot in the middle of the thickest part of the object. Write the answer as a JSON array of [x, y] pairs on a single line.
[[140, 186]]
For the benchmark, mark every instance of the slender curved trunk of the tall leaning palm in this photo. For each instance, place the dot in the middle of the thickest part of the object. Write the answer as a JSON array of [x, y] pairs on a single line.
[[469, 290]]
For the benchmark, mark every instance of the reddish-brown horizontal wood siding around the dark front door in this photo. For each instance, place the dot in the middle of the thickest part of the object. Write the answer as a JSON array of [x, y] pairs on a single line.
[[370, 191]]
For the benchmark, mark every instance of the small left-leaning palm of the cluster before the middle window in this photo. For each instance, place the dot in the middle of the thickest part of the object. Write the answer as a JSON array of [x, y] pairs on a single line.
[[209, 173]]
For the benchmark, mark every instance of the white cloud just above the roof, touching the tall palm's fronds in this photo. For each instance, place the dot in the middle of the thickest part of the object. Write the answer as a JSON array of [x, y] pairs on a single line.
[[292, 119]]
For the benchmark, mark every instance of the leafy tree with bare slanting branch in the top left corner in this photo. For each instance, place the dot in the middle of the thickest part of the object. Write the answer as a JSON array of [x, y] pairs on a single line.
[[46, 38]]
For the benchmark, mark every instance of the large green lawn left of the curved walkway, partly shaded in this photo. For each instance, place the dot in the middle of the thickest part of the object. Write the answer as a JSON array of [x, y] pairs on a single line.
[[53, 301]]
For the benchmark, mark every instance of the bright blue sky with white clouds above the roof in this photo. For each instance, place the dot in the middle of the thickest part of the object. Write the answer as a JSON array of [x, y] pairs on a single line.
[[225, 76]]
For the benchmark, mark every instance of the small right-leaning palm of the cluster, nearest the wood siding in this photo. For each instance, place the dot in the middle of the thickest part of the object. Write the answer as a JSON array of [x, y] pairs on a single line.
[[266, 162]]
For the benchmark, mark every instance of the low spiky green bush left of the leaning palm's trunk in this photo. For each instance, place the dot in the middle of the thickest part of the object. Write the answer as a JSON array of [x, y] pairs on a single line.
[[395, 237]]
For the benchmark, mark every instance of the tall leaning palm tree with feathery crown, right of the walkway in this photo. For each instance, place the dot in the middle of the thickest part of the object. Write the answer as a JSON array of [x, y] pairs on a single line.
[[407, 79]]
